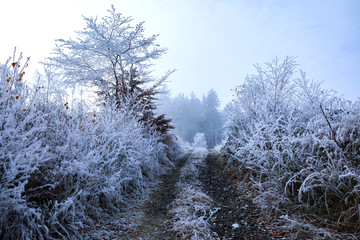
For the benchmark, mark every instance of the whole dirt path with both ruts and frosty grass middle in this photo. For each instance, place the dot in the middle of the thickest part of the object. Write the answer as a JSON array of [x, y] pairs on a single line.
[[182, 206]]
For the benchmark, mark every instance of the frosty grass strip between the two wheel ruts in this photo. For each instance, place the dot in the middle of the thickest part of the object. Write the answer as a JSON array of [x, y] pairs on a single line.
[[192, 208]]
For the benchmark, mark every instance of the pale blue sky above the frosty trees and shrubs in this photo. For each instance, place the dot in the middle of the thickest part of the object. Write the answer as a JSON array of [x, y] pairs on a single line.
[[212, 43]]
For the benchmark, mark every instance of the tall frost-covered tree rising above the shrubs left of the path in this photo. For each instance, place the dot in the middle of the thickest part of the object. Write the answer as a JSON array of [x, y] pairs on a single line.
[[114, 57]]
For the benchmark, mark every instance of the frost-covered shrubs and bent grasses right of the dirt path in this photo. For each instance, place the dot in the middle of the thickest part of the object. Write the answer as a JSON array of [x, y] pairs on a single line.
[[298, 142]]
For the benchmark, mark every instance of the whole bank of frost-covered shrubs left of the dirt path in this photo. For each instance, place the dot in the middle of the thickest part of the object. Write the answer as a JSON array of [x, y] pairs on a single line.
[[61, 168]]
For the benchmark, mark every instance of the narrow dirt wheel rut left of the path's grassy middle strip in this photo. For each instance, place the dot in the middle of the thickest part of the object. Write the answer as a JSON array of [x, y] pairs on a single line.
[[152, 226]]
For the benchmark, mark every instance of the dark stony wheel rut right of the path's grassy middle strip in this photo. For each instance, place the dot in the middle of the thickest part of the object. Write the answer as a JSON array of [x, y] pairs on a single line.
[[236, 216]]
